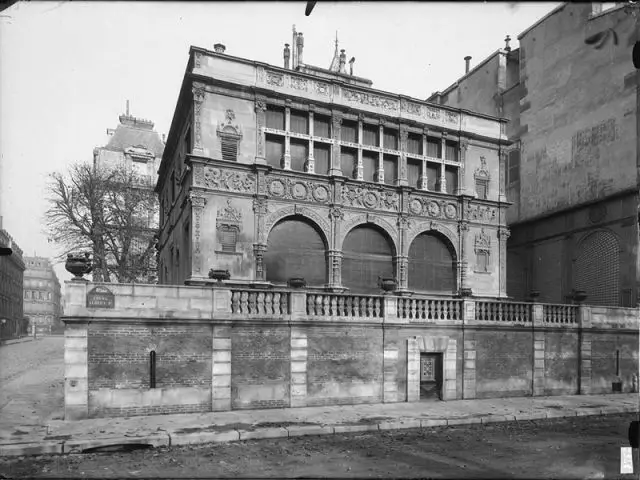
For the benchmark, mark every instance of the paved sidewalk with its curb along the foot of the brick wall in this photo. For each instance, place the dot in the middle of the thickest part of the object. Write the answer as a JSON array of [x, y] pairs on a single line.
[[168, 430]]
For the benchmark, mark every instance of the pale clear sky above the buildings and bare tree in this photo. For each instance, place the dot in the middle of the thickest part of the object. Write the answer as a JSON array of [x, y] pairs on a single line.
[[68, 68]]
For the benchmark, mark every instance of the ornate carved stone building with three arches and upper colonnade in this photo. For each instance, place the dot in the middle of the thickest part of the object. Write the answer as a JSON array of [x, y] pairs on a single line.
[[300, 171]]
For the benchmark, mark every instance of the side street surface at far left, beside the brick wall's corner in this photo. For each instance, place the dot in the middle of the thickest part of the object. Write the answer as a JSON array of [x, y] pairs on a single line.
[[31, 381]]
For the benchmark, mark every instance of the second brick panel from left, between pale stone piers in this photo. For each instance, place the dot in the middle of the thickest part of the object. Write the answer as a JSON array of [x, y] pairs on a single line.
[[260, 367]]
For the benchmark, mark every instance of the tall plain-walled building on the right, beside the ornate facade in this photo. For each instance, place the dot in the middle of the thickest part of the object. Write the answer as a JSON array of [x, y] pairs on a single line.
[[571, 172]]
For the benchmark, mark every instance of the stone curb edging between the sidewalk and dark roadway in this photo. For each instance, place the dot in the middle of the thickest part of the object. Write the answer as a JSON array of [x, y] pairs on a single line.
[[176, 438]]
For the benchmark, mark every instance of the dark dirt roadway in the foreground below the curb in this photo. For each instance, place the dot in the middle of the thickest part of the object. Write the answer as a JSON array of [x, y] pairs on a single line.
[[580, 447]]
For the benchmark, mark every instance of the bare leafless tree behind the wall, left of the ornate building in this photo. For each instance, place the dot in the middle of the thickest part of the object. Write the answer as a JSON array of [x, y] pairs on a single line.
[[109, 212]]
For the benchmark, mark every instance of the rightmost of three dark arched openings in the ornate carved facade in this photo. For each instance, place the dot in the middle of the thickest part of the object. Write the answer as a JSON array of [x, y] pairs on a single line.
[[432, 264]]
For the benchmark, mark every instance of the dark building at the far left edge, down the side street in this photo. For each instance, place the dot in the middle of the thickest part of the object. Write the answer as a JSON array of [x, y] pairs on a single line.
[[12, 322]]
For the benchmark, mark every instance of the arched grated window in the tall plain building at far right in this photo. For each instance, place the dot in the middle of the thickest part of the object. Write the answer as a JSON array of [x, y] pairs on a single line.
[[597, 269]]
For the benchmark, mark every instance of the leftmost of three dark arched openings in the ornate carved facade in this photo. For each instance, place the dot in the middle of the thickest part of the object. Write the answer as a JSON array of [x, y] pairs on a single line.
[[295, 248]]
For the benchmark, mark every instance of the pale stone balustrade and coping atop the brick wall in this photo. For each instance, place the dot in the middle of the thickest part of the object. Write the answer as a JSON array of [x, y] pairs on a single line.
[[206, 304]]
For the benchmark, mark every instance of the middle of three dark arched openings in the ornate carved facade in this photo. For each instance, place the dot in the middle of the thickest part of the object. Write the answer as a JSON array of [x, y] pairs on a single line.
[[367, 255]]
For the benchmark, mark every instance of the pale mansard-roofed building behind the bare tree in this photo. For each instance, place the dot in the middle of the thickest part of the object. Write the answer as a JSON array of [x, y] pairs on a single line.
[[136, 146]]
